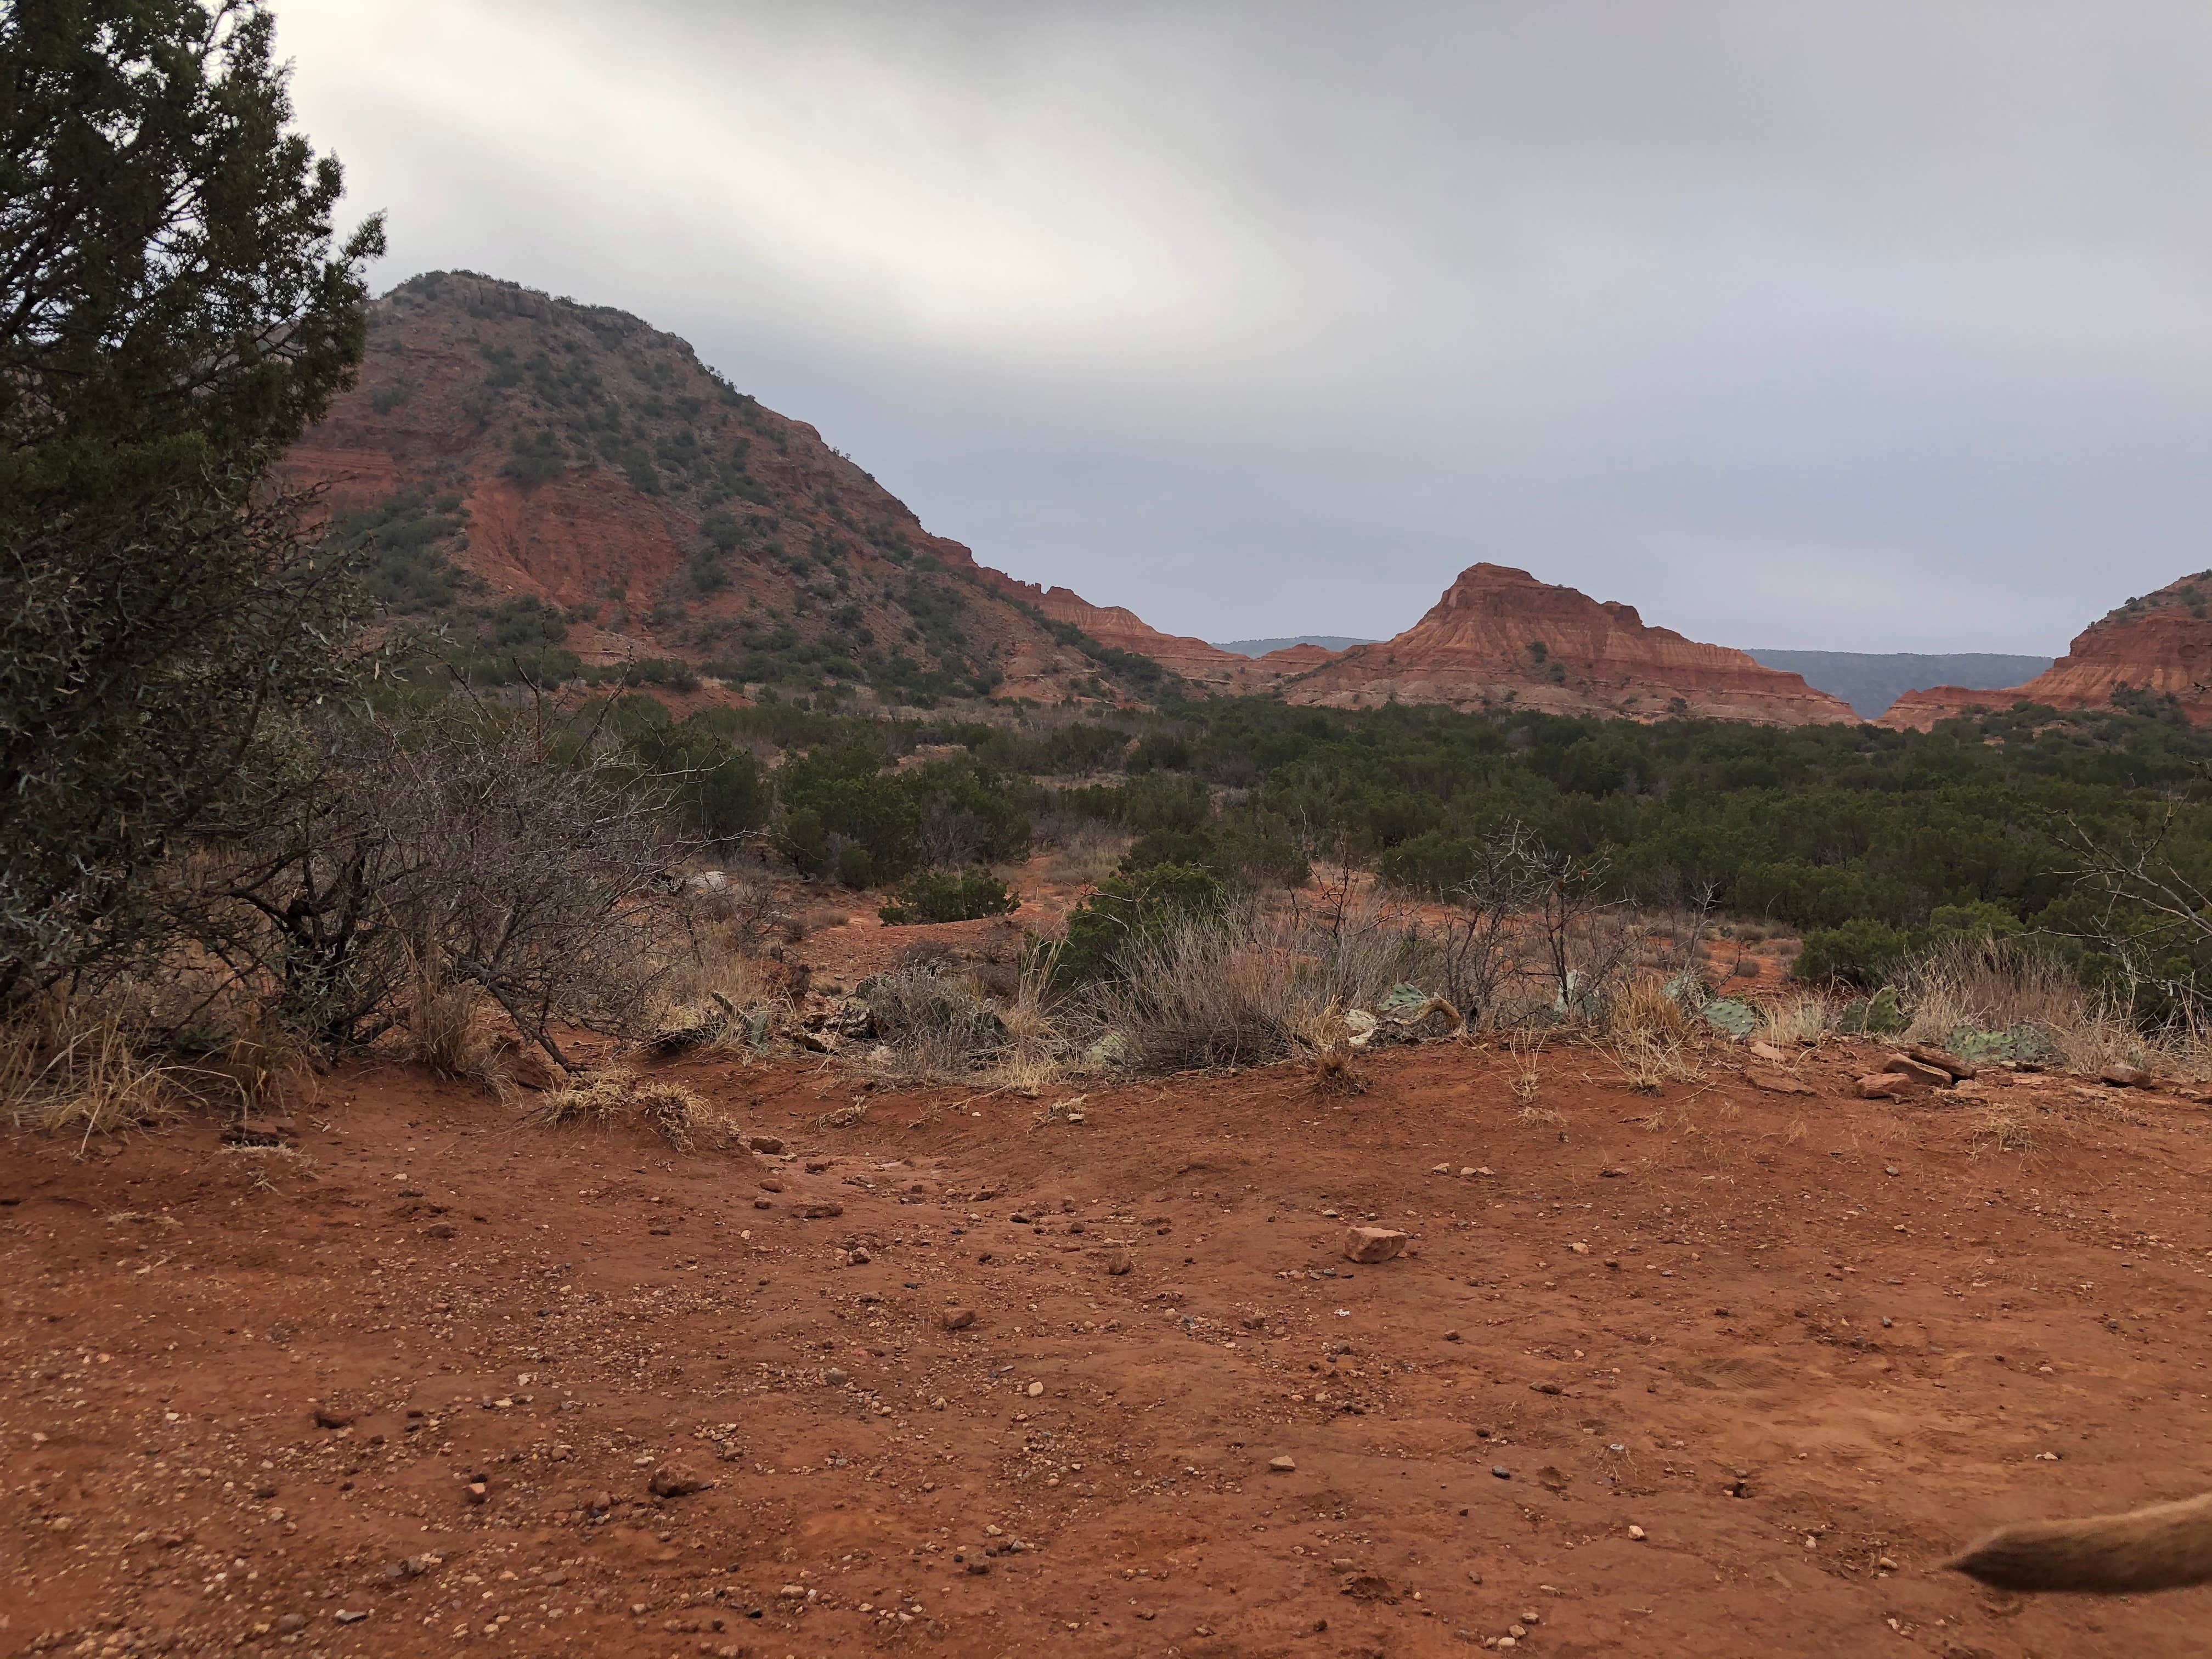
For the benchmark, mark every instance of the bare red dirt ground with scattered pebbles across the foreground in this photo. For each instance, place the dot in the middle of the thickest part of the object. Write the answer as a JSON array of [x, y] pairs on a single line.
[[1786, 1337]]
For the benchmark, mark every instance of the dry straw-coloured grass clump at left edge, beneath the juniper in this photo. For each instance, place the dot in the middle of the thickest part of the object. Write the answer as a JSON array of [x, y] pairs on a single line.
[[81, 1067]]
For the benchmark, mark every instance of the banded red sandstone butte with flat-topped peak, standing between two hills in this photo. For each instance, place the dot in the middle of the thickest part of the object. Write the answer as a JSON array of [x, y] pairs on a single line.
[[1501, 638]]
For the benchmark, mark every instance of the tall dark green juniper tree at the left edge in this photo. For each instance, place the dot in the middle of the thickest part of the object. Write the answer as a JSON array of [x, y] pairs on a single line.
[[176, 309]]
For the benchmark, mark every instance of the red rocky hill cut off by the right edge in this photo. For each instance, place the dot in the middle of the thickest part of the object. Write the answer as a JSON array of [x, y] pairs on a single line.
[[2158, 645]]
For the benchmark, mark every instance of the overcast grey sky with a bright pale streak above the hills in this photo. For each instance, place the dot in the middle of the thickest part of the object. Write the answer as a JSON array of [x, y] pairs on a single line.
[[1793, 324]]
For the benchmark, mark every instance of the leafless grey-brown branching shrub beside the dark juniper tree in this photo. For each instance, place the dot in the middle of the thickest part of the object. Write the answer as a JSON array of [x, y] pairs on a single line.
[[466, 842]]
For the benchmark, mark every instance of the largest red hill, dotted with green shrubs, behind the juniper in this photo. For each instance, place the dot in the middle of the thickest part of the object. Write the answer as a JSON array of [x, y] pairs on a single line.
[[543, 470]]
